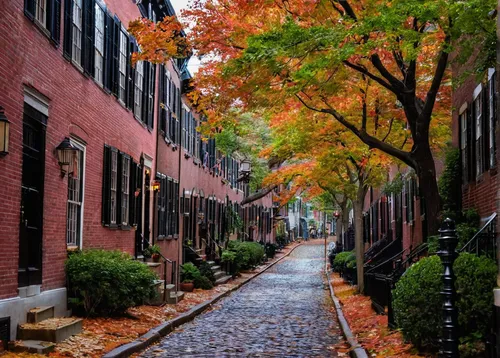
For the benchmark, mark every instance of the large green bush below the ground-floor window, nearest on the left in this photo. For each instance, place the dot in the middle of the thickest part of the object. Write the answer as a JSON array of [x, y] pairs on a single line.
[[106, 283]]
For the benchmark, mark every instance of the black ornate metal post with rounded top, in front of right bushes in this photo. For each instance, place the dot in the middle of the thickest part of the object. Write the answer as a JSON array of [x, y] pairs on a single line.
[[447, 244]]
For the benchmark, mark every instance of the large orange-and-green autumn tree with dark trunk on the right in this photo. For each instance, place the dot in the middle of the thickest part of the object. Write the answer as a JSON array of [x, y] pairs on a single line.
[[265, 52]]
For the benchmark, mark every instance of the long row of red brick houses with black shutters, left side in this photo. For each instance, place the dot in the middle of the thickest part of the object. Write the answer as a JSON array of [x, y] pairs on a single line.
[[138, 173]]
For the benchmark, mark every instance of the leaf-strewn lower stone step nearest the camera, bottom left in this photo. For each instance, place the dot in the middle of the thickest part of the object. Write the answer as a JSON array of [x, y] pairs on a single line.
[[50, 330]]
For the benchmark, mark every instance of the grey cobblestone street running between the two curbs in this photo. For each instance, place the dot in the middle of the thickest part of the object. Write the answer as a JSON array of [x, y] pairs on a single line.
[[283, 312]]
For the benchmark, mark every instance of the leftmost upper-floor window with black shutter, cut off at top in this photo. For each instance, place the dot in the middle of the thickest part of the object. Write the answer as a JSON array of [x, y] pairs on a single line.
[[47, 14]]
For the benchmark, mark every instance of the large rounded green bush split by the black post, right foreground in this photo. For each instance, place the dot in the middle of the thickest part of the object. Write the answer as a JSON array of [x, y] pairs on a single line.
[[417, 301]]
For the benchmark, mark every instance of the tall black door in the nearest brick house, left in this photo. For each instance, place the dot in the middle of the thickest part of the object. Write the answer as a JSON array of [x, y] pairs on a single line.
[[31, 215]]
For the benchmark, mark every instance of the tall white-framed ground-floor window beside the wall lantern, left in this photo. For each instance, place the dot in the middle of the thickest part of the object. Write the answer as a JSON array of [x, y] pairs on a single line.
[[74, 214]]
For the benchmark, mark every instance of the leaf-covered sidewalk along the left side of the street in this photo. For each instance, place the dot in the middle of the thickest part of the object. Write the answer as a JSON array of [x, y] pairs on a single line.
[[101, 335]]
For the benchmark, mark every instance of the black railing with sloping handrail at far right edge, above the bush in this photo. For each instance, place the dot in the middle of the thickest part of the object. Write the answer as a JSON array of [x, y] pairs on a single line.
[[484, 242]]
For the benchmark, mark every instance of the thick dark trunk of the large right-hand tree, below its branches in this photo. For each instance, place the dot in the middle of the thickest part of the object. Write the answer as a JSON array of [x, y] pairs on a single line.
[[427, 181]]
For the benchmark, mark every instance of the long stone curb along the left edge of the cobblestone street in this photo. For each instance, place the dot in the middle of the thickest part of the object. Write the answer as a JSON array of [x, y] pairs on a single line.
[[156, 333]]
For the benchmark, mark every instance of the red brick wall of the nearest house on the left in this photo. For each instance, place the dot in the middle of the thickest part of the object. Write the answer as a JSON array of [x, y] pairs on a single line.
[[77, 106]]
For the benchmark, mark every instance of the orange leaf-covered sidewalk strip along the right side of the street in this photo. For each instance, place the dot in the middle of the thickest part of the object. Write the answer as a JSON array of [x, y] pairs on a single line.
[[370, 328]]
